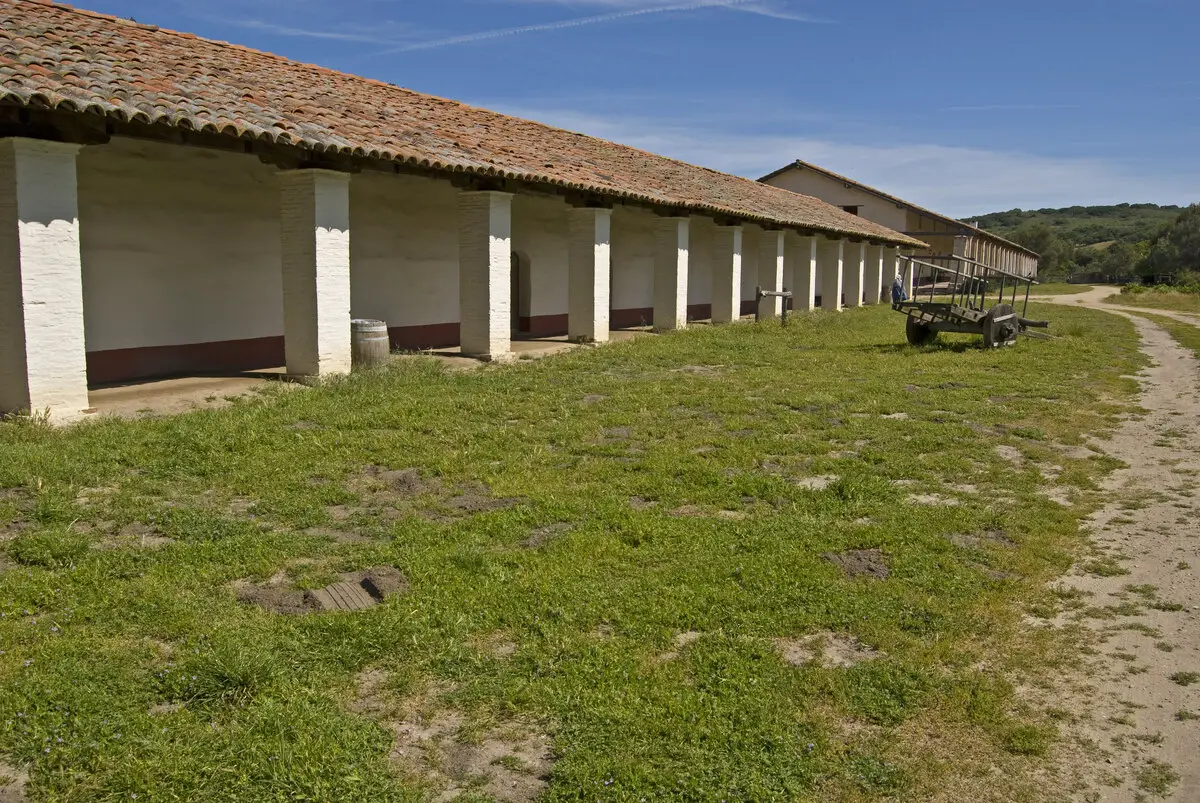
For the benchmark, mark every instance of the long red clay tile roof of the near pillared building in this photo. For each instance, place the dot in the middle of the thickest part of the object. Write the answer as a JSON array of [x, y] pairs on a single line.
[[59, 58]]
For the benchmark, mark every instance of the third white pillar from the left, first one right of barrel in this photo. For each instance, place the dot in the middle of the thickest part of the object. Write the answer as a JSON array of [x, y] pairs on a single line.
[[485, 271]]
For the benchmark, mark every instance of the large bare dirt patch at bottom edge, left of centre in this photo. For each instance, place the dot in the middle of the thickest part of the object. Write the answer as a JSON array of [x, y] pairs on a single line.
[[440, 748]]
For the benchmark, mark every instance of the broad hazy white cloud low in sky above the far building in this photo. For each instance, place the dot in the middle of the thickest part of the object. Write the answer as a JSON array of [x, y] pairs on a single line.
[[955, 181]]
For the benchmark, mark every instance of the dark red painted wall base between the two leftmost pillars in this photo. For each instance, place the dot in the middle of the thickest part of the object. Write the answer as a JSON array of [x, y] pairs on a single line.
[[127, 364]]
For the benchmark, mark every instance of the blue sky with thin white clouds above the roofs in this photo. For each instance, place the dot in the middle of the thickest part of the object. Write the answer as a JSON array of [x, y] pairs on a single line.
[[964, 106]]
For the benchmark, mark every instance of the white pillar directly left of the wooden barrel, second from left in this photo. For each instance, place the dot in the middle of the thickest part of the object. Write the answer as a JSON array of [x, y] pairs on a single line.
[[315, 227]]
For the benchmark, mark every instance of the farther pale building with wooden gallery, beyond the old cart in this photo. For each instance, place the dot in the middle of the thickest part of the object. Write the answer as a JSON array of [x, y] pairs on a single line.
[[946, 237]]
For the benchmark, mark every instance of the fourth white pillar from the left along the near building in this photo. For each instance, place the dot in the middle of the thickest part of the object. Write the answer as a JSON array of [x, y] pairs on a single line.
[[589, 269]]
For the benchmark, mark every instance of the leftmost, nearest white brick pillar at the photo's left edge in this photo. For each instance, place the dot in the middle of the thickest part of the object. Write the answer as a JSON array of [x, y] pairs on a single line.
[[44, 364]]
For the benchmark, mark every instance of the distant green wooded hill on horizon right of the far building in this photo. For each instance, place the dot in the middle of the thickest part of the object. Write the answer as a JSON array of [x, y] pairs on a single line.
[[1088, 225]]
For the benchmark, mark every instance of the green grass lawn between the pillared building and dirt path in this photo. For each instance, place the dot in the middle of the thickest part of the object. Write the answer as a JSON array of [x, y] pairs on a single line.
[[631, 555]]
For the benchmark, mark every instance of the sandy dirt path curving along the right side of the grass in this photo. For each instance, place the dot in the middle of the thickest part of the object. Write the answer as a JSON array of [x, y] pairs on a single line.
[[1135, 739]]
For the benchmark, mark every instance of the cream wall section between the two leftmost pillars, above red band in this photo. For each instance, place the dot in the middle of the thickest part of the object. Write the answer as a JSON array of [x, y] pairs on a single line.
[[179, 245]]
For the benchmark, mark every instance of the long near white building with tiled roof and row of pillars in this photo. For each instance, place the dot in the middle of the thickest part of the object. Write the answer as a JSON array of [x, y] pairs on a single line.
[[175, 206]]
